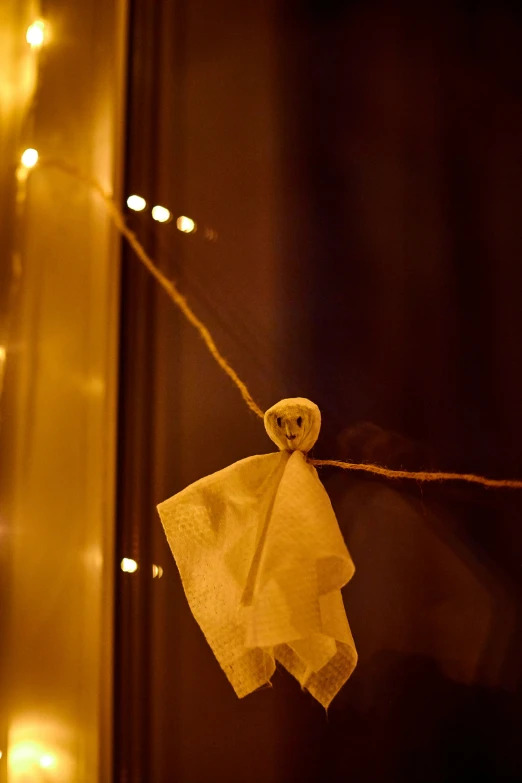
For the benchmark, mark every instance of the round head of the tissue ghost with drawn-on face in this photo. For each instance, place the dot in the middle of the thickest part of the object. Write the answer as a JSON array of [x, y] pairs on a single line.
[[293, 424]]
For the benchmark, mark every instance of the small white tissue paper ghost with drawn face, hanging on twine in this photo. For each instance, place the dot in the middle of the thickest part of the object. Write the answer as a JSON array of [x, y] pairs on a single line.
[[262, 562]]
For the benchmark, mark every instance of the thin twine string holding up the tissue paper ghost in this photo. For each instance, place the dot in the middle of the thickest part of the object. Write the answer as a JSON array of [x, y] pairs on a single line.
[[118, 219]]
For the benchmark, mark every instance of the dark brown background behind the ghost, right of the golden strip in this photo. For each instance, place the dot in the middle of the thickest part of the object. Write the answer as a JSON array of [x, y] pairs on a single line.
[[361, 164]]
